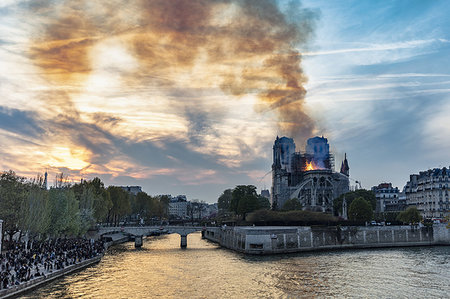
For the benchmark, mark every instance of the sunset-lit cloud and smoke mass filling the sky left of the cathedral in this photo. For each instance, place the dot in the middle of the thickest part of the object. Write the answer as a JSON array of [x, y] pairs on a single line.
[[187, 90]]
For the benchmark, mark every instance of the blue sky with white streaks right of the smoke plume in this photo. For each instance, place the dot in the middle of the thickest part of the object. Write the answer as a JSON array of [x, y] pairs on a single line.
[[379, 80]]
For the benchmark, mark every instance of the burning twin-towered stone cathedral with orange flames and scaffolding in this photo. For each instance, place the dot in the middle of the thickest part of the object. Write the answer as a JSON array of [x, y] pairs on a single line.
[[308, 176]]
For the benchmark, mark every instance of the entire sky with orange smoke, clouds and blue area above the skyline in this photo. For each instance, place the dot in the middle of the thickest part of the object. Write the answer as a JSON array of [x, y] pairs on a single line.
[[187, 97]]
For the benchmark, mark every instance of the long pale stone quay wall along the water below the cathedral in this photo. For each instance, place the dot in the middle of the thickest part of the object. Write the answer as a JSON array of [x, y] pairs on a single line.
[[272, 240]]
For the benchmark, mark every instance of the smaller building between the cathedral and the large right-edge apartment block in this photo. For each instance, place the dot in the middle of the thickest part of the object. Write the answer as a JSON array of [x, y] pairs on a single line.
[[388, 198]]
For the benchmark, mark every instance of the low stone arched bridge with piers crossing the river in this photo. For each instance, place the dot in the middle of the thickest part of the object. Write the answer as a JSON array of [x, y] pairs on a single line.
[[140, 231]]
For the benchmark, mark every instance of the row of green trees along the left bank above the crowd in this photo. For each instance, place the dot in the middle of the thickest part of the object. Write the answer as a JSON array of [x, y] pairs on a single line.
[[28, 208]]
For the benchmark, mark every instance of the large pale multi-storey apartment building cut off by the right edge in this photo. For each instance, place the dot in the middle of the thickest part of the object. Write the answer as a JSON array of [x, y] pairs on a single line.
[[429, 192]]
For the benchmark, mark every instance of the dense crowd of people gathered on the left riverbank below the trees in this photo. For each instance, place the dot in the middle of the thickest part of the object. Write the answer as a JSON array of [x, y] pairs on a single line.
[[23, 262]]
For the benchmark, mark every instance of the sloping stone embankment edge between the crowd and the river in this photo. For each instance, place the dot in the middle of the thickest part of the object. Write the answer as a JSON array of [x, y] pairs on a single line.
[[39, 281]]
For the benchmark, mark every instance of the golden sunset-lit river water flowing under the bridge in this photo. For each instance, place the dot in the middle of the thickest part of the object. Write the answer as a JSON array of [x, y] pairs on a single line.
[[204, 270]]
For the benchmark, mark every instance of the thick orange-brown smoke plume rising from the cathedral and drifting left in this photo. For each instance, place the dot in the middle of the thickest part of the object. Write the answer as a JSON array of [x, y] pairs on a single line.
[[242, 47]]
